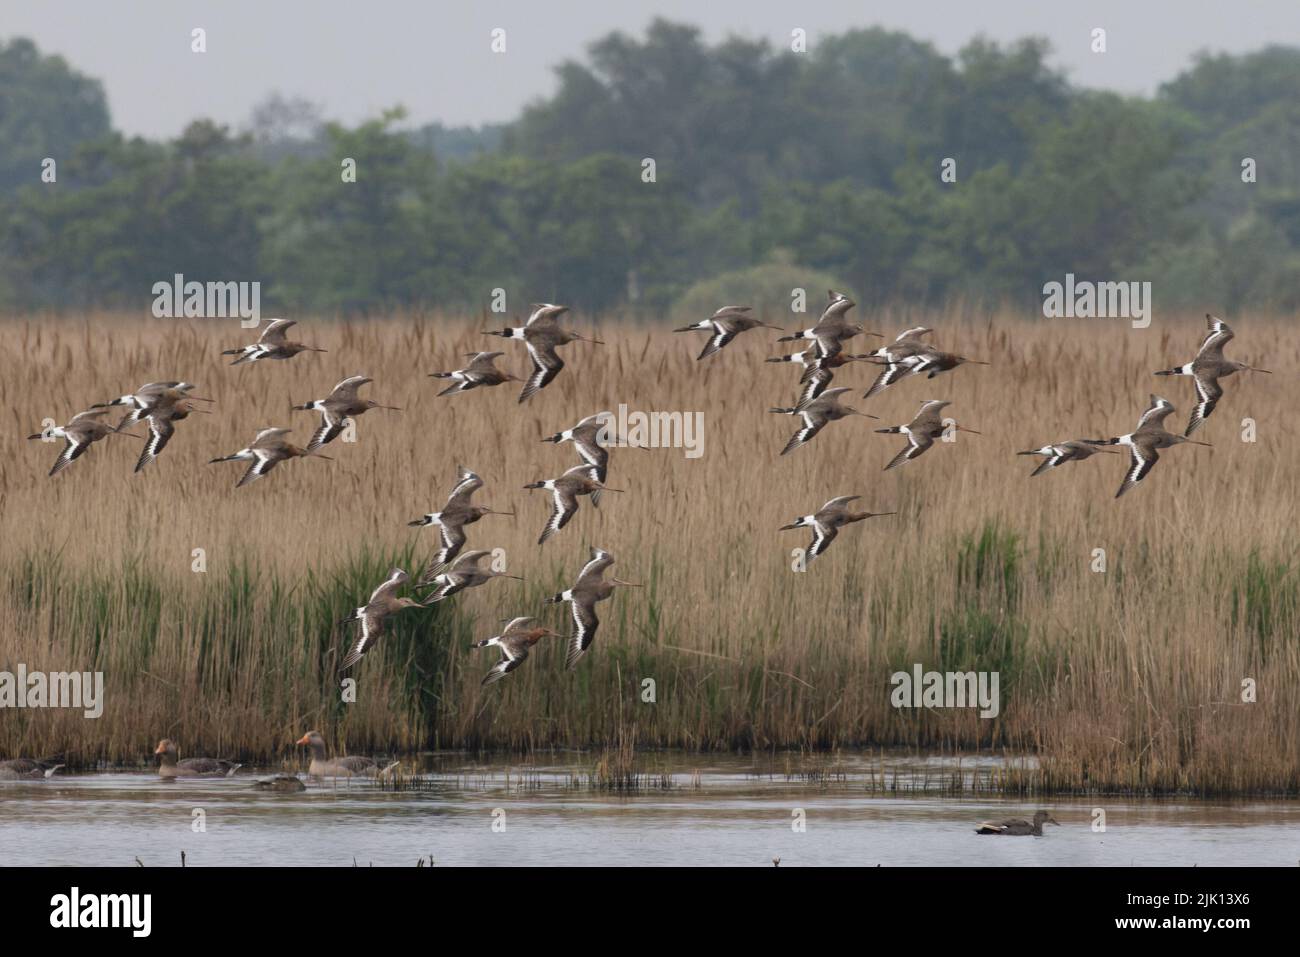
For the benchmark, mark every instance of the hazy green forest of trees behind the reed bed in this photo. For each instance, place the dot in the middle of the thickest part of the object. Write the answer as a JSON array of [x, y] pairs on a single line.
[[772, 167]]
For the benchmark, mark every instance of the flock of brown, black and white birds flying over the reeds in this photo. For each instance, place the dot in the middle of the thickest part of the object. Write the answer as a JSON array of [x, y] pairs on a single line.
[[450, 571]]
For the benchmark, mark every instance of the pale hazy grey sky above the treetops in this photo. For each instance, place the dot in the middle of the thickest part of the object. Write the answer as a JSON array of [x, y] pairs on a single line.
[[356, 59]]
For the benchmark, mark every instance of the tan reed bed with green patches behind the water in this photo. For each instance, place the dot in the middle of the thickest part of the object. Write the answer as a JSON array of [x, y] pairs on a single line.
[[1126, 679]]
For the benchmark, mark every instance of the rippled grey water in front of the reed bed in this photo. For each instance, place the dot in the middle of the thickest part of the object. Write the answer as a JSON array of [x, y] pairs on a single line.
[[718, 811]]
